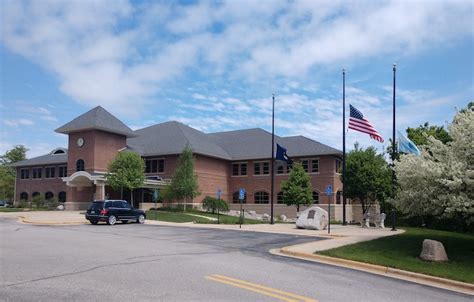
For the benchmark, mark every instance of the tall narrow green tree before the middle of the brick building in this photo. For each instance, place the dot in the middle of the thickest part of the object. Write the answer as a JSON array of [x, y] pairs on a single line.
[[184, 185]]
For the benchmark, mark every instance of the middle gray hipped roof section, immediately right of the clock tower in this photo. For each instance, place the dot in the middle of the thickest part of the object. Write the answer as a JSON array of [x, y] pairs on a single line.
[[171, 138]]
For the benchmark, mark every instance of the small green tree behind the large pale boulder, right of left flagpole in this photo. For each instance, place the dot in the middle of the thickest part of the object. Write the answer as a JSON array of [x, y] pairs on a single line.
[[297, 189]]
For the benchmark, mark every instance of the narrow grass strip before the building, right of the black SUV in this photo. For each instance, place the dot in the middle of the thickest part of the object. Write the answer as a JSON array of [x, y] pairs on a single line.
[[179, 216]]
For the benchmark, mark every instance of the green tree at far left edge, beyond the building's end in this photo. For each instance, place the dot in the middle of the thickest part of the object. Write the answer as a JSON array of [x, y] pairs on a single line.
[[7, 173]]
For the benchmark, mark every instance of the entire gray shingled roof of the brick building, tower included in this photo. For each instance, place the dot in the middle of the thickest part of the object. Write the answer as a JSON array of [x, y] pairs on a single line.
[[172, 137]]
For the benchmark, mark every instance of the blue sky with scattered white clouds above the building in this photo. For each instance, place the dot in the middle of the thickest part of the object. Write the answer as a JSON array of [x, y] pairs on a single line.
[[215, 65]]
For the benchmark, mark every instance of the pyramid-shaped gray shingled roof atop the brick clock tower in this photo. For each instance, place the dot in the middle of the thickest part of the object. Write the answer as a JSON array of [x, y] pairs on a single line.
[[97, 118]]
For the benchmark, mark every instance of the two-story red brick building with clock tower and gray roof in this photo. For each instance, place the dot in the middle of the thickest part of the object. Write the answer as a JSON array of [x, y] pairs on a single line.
[[224, 160]]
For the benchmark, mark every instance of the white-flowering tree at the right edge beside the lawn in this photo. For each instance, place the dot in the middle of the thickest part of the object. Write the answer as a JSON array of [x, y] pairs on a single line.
[[440, 182]]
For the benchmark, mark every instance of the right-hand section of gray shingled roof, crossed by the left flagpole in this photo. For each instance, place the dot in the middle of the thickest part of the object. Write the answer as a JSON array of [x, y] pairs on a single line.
[[257, 144]]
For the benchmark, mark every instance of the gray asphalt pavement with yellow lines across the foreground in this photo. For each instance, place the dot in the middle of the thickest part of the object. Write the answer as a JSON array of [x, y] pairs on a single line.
[[164, 263]]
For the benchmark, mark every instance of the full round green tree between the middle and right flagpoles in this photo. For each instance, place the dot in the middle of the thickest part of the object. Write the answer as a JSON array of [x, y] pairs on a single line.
[[368, 177]]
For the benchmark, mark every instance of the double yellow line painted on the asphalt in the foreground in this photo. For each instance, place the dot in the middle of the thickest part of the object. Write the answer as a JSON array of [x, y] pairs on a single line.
[[279, 294]]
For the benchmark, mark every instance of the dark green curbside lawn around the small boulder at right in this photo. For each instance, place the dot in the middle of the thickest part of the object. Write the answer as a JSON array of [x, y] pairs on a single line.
[[402, 252]]
